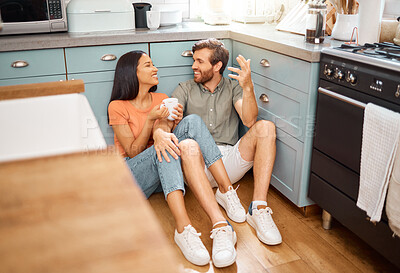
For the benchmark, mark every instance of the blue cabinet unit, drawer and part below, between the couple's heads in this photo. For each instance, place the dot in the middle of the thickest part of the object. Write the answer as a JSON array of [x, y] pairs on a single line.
[[174, 62]]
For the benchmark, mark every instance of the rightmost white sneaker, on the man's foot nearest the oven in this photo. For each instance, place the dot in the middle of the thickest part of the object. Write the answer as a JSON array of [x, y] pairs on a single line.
[[261, 220]]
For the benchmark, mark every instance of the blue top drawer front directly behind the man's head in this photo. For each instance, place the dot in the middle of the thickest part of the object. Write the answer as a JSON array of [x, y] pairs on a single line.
[[170, 54]]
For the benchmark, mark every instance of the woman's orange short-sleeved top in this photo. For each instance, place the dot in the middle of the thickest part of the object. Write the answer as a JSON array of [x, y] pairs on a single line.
[[123, 112]]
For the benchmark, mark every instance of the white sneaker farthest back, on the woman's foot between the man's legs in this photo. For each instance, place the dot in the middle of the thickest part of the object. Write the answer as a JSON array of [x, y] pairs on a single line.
[[231, 203]]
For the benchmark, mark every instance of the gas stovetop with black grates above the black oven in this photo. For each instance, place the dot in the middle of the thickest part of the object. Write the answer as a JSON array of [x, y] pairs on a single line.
[[385, 55]]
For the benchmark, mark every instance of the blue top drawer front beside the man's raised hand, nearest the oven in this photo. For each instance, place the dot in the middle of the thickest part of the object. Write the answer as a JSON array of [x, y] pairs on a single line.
[[284, 69]]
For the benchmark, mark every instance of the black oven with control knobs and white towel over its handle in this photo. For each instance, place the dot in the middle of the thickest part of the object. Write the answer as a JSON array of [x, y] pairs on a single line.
[[346, 85]]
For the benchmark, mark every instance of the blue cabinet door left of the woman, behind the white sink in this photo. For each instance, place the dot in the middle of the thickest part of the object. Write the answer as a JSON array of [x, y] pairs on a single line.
[[98, 87]]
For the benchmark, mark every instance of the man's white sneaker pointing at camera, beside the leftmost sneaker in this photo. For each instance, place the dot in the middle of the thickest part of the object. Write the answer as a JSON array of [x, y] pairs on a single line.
[[224, 240]]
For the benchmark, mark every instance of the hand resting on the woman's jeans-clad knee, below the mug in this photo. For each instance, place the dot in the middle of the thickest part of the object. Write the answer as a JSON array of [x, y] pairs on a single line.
[[164, 142]]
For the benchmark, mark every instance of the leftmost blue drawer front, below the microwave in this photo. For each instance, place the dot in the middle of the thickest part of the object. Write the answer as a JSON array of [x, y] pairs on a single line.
[[39, 63]]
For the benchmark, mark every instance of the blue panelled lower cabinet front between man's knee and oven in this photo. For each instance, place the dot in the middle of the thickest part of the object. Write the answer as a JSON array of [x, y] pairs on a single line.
[[286, 174]]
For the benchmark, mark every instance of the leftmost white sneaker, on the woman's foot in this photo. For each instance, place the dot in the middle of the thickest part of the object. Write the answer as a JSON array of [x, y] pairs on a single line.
[[191, 246]]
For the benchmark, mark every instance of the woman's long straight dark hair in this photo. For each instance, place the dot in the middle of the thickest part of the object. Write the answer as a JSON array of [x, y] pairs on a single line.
[[126, 83]]
